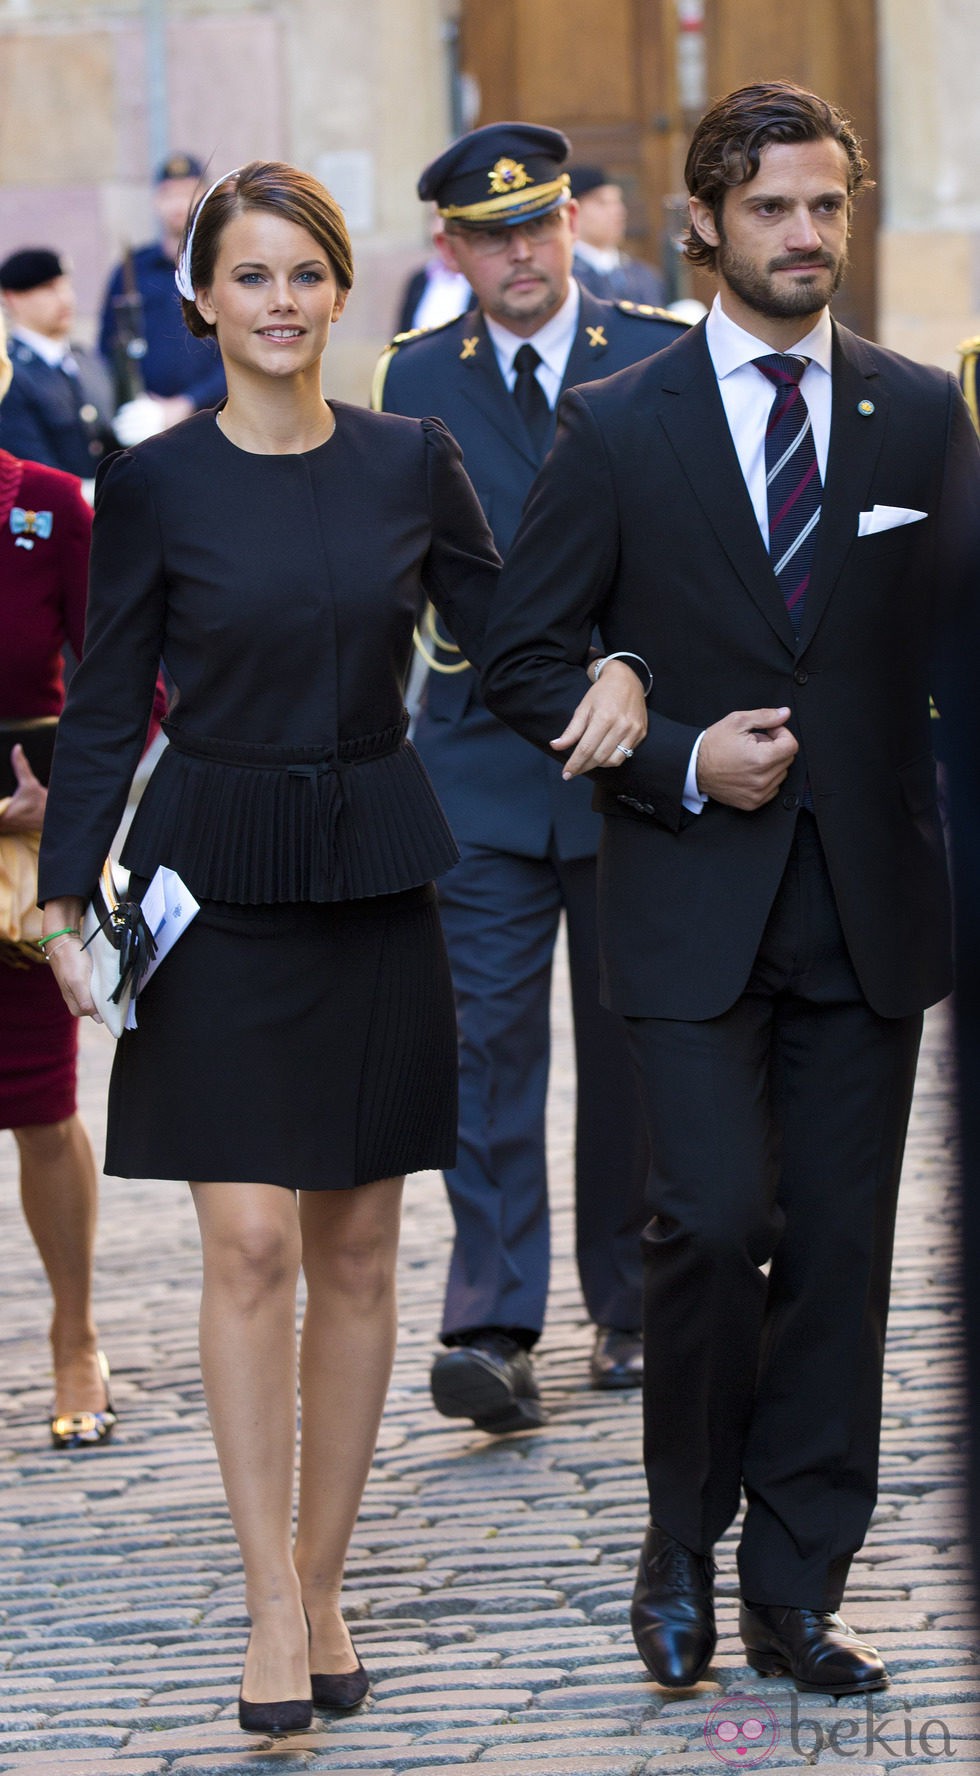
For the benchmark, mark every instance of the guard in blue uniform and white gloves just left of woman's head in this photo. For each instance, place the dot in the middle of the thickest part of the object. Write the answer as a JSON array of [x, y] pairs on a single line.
[[178, 374]]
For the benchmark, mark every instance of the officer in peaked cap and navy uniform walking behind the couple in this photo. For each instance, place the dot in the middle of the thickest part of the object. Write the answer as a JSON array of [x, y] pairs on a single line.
[[528, 839]]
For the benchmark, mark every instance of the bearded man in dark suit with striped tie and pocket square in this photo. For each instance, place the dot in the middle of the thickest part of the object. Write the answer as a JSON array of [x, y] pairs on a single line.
[[771, 512]]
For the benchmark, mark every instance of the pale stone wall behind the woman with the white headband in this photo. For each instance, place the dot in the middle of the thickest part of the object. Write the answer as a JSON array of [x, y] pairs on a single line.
[[354, 91]]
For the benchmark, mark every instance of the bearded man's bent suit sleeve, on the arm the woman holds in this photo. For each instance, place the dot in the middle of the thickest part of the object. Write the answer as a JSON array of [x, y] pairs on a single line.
[[557, 587]]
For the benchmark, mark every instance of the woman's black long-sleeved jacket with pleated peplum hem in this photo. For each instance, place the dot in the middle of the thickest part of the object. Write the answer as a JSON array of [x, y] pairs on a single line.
[[281, 594]]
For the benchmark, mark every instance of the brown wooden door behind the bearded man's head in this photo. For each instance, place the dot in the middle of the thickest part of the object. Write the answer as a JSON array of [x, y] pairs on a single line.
[[612, 77]]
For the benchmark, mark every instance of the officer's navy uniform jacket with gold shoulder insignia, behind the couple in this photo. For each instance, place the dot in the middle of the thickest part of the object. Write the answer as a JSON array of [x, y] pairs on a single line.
[[494, 788]]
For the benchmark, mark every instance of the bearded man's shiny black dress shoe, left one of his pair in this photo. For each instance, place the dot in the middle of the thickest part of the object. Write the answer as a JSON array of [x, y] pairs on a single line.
[[672, 1612]]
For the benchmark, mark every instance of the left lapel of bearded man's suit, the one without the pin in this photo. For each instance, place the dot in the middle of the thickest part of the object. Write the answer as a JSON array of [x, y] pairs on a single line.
[[699, 431]]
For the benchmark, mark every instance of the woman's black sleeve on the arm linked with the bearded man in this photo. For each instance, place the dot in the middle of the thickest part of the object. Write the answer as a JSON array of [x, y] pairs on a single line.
[[462, 564]]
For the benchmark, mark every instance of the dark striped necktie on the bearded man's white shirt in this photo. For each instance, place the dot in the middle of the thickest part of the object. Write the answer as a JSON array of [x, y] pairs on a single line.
[[793, 482]]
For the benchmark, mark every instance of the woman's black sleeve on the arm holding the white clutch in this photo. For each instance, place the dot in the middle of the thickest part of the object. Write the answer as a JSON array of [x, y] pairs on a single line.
[[104, 727]]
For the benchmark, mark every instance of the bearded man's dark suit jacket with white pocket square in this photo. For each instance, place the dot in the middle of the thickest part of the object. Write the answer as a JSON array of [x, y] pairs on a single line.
[[642, 521]]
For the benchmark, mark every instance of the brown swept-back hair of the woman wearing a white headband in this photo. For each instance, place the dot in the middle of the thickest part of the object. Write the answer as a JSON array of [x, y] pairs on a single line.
[[280, 189]]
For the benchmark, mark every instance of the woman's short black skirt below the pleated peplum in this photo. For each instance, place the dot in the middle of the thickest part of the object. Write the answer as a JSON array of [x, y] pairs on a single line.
[[297, 1045]]
